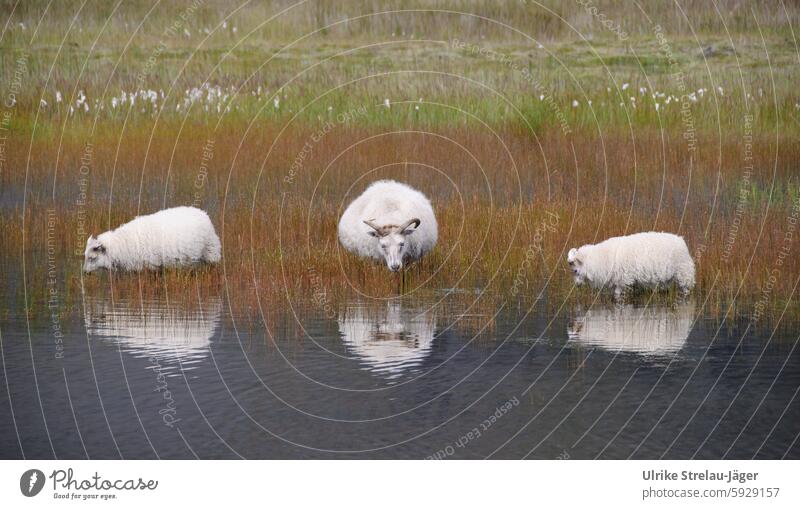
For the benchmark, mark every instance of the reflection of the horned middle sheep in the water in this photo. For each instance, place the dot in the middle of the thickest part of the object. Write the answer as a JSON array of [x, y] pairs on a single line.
[[389, 339]]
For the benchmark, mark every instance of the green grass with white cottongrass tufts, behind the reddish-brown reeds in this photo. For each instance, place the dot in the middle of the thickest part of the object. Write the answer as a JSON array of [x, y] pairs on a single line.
[[104, 55]]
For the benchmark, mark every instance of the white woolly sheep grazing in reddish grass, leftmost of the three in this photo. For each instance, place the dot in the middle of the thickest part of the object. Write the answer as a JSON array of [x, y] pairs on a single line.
[[169, 238]]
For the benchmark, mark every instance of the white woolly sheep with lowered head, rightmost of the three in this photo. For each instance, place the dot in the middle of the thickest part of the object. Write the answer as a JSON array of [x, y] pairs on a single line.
[[645, 259]]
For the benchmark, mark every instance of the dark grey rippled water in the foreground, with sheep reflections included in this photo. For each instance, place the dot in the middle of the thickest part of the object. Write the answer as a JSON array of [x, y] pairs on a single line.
[[403, 378]]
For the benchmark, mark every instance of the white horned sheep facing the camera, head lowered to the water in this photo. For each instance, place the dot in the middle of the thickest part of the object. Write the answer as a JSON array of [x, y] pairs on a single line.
[[389, 221]]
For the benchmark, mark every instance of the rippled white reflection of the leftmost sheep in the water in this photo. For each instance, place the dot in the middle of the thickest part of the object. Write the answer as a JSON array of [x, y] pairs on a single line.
[[171, 333]]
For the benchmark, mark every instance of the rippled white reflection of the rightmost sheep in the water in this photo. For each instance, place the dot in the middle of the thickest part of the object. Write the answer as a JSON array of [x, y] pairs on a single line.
[[652, 330]]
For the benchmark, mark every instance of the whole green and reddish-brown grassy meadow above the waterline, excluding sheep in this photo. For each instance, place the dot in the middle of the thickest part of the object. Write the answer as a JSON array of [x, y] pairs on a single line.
[[532, 127]]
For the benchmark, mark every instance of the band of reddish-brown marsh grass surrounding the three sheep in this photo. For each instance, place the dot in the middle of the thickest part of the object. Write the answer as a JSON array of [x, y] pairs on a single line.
[[506, 218]]
